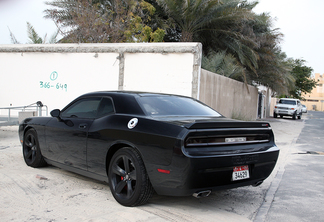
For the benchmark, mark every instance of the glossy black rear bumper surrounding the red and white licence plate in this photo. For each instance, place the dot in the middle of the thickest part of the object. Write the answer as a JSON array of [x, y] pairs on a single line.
[[190, 175]]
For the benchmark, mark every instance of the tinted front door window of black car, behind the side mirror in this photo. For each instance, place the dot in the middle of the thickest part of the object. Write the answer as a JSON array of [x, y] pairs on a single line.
[[84, 108]]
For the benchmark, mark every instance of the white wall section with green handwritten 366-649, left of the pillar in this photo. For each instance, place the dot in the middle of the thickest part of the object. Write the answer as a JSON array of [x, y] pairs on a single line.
[[32, 76]]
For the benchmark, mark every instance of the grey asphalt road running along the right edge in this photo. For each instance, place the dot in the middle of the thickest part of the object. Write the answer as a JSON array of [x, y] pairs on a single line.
[[298, 189]]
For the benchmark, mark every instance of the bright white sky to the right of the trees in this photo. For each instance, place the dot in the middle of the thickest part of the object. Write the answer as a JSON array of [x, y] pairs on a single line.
[[302, 23]]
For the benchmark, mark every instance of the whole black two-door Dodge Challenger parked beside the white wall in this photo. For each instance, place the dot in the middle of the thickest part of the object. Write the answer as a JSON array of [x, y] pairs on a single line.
[[145, 142]]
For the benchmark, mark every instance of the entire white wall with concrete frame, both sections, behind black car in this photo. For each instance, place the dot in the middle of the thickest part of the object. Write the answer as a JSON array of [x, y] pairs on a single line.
[[56, 74]]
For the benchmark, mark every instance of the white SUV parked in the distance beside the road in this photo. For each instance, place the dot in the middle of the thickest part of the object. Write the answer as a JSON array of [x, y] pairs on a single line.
[[288, 107]]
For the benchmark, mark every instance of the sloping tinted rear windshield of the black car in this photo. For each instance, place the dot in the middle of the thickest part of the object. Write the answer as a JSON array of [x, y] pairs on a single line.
[[175, 106]]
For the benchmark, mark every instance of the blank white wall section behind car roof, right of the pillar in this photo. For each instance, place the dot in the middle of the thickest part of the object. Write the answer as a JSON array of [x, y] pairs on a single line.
[[169, 75]]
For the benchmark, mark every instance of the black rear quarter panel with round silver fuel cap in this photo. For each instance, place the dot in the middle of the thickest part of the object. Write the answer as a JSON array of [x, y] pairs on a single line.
[[155, 140]]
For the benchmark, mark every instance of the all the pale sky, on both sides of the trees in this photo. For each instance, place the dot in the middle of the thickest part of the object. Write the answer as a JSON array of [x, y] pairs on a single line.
[[301, 22]]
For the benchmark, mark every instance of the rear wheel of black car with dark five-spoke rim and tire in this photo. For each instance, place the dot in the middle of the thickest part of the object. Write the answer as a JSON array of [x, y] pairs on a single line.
[[128, 179]]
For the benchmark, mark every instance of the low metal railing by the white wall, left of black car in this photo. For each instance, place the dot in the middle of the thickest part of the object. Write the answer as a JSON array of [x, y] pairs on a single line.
[[12, 117]]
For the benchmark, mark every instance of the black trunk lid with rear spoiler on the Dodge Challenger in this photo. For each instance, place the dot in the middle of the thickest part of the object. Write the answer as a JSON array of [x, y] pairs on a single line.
[[194, 122]]
